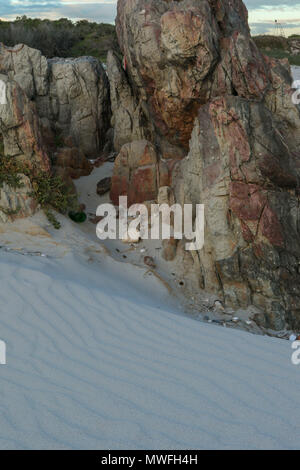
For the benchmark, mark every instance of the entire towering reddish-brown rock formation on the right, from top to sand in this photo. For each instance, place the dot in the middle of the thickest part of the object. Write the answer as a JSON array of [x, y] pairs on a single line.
[[217, 119]]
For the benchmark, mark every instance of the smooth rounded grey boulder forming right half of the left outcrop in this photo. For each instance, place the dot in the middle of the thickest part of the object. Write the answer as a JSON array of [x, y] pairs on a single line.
[[78, 102]]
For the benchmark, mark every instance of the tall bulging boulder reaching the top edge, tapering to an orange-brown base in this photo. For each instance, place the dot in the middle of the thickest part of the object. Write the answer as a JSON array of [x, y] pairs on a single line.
[[180, 54]]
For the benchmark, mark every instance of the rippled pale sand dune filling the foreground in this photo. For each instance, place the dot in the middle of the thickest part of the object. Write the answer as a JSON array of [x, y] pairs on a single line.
[[98, 358]]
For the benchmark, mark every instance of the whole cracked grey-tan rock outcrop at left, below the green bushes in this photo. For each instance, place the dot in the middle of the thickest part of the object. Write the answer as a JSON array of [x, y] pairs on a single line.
[[59, 104]]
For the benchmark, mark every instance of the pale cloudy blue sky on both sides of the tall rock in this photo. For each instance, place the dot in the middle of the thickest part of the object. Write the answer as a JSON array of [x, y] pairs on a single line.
[[262, 13]]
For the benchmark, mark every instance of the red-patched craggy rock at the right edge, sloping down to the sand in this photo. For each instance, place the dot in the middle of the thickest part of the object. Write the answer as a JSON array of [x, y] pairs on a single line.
[[241, 169]]
